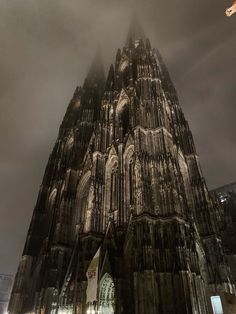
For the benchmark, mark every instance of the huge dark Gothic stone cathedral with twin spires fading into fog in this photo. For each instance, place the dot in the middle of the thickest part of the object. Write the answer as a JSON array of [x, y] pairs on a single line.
[[124, 222]]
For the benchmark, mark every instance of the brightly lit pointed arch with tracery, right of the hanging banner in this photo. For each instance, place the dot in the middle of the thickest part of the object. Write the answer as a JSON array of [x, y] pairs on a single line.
[[106, 295]]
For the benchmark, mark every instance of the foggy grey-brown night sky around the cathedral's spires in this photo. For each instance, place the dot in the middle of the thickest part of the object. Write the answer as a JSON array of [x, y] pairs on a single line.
[[46, 49]]
